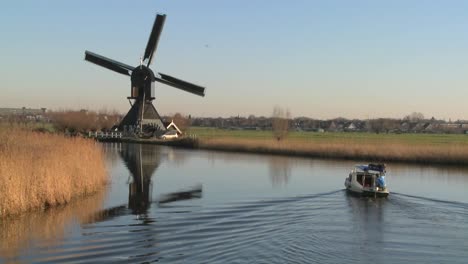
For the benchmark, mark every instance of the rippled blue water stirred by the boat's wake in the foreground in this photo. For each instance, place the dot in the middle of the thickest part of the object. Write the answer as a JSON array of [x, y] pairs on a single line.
[[324, 228]]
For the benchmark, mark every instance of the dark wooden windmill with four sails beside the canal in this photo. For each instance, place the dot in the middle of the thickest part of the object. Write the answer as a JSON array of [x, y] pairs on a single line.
[[142, 115]]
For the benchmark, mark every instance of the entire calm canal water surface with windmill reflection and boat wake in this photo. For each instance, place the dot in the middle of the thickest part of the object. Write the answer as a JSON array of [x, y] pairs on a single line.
[[174, 205]]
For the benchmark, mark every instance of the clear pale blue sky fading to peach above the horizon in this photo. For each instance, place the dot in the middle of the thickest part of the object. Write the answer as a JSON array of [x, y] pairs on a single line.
[[320, 59]]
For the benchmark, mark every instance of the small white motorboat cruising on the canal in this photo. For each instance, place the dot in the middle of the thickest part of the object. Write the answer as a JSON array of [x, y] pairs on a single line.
[[367, 180]]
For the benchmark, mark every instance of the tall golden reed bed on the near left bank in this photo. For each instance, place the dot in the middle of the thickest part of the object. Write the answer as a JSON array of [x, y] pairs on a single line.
[[38, 170]]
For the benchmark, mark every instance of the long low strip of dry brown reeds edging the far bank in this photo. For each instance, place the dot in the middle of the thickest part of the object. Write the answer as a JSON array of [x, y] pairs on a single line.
[[385, 151]]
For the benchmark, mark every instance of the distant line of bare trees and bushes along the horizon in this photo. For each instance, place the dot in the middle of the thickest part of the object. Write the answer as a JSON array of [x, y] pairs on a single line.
[[82, 121]]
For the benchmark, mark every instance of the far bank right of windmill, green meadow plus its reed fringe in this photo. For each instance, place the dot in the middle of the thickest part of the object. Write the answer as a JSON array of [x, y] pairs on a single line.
[[420, 148]]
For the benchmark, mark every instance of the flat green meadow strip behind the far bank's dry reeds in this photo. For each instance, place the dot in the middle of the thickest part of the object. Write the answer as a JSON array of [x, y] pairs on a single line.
[[330, 137]]
